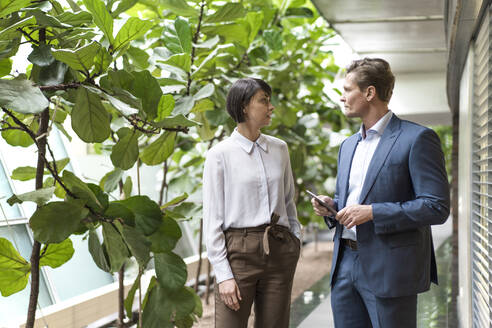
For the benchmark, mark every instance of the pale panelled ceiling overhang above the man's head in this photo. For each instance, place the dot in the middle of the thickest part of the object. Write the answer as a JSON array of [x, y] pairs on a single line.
[[409, 34]]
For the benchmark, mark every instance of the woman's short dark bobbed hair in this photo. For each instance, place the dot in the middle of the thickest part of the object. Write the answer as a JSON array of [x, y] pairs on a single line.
[[240, 95]]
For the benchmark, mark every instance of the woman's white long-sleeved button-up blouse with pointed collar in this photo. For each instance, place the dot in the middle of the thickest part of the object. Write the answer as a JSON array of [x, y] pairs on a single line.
[[244, 182]]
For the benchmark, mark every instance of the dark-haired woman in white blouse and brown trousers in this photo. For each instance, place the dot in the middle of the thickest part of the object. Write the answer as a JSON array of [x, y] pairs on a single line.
[[251, 224]]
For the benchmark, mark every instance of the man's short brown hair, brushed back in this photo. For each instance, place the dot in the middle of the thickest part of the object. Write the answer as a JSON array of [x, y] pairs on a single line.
[[375, 72]]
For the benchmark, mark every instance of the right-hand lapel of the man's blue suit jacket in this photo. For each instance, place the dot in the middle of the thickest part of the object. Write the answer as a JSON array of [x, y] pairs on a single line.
[[384, 147]]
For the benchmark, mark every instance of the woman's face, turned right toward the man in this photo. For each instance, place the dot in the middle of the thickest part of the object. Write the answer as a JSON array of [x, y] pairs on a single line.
[[258, 112]]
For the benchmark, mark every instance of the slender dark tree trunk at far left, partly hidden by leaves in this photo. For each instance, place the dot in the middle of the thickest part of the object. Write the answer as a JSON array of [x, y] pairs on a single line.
[[36, 247]]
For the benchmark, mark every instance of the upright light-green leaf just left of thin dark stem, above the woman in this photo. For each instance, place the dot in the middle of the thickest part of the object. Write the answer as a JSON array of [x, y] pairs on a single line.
[[177, 38]]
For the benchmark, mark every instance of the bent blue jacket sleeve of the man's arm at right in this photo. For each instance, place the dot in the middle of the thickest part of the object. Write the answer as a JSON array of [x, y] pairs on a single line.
[[429, 180]]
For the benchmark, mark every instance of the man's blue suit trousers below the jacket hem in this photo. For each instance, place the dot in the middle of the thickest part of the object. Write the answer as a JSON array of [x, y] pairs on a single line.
[[355, 306]]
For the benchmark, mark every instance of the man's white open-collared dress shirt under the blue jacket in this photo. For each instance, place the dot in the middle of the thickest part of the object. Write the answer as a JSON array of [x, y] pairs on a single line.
[[366, 147]]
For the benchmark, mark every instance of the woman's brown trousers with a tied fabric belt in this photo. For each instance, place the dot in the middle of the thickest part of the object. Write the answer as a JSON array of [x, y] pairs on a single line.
[[263, 279]]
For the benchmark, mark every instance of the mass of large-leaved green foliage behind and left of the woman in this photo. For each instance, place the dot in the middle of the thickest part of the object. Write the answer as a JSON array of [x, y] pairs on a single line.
[[151, 92]]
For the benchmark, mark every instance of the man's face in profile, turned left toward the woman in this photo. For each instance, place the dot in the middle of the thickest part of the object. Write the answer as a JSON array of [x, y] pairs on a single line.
[[354, 99]]
